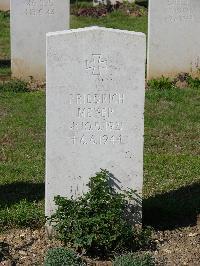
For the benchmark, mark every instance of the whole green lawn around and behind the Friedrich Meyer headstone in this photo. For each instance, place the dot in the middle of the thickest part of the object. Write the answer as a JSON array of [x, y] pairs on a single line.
[[171, 156]]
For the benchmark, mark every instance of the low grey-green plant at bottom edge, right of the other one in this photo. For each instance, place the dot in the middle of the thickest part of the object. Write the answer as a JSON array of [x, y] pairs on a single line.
[[134, 260]]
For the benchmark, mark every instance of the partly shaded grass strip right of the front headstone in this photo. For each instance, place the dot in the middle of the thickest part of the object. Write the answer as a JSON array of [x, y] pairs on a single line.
[[172, 157]]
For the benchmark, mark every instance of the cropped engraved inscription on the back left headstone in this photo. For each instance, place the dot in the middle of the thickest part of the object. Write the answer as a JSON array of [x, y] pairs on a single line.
[[39, 7]]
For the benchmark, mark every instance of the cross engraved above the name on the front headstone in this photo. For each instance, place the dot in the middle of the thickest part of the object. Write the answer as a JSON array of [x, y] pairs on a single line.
[[96, 64]]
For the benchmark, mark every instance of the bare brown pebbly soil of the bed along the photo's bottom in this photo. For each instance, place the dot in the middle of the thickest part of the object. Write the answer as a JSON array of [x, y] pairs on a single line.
[[173, 247]]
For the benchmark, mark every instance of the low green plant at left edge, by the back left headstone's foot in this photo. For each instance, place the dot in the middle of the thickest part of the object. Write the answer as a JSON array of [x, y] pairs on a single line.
[[14, 85]]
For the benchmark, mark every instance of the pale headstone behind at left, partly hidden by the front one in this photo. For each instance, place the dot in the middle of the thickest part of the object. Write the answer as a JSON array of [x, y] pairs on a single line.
[[30, 21]]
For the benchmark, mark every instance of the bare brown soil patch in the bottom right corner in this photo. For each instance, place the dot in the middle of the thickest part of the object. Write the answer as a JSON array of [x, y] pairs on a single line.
[[178, 247]]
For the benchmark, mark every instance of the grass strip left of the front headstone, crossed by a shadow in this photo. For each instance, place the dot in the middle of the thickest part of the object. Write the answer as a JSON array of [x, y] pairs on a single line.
[[22, 127]]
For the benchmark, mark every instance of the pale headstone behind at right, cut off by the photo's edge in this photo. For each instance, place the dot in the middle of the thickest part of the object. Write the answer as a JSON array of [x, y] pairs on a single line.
[[174, 40]]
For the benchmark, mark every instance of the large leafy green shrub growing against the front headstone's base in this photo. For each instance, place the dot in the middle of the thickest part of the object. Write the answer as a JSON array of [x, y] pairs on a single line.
[[96, 221]]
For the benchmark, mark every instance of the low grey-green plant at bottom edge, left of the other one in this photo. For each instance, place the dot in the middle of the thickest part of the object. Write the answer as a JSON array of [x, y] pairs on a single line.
[[62, 257]]
